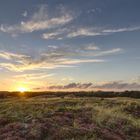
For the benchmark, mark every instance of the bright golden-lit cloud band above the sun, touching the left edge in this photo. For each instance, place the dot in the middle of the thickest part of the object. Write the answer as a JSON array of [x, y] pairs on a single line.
[[49, 60]]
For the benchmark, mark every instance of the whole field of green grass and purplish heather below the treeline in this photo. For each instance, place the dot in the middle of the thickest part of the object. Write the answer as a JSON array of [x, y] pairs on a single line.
[[69, 117]]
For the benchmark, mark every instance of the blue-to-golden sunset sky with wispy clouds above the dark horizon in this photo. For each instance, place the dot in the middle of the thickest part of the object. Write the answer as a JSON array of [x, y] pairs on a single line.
[[69, 45]]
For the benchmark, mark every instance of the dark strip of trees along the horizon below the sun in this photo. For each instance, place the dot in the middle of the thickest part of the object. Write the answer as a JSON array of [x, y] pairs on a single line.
[[102, 94]]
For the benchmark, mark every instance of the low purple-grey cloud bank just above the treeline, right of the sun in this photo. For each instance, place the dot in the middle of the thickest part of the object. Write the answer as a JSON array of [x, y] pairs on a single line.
[[117, 86]]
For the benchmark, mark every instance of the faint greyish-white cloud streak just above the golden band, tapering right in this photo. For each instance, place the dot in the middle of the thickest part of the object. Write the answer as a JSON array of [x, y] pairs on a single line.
[[91, 50]]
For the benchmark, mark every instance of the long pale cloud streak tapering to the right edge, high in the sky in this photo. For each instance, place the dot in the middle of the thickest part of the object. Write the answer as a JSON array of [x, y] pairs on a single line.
[[85, 32]]
